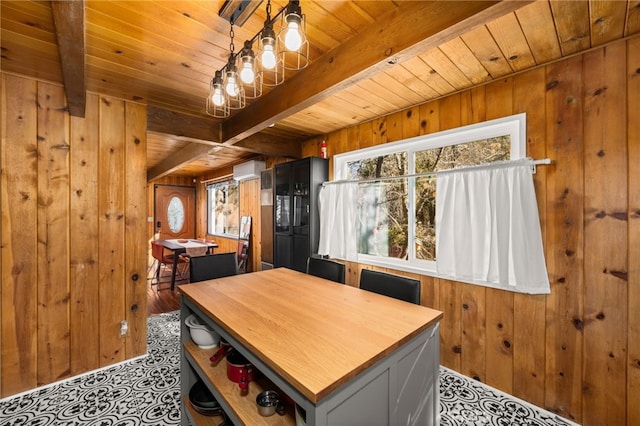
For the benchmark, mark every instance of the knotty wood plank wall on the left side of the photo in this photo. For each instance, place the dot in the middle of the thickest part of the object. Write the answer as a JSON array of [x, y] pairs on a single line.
[[73, 215]]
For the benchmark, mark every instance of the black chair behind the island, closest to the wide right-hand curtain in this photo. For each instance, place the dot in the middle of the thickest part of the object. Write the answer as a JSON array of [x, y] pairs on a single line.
[[396, 286]]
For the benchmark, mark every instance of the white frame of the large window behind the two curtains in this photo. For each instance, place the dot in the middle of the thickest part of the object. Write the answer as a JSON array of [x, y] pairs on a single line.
[[514, 126]]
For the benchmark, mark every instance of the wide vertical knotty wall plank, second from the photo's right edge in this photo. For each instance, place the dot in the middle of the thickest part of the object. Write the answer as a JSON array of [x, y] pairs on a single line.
[[605, 207]]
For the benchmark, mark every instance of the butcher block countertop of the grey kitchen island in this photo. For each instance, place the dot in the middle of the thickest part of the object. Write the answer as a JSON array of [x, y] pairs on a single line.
[[316, 334]]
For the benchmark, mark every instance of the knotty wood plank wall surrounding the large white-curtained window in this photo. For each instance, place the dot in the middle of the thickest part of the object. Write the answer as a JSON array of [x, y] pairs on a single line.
[[576, 351]]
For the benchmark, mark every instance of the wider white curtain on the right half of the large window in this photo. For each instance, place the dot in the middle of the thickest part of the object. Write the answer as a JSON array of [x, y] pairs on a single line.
[[488, 229]]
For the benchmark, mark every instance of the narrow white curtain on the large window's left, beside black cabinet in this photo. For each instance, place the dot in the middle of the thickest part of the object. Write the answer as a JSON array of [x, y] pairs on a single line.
[[337, 204]]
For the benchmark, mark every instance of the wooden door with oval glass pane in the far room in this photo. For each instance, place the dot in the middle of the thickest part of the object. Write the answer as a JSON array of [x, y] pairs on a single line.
[[175, 208]]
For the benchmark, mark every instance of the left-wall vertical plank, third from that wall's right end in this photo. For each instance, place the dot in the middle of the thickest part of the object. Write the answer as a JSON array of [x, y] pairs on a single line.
[[83, 249]]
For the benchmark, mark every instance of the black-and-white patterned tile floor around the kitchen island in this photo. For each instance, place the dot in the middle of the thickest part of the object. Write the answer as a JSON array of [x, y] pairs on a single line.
[[146, 391]]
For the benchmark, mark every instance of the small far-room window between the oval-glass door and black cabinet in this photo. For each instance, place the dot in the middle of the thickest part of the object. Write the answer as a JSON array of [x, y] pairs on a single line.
[[223, 207]]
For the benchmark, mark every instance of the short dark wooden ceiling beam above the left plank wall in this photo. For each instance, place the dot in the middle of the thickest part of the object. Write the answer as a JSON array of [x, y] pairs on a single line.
[[69, 21]]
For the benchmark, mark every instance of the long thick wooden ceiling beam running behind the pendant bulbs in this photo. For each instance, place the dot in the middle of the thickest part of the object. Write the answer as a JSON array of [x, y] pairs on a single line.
[[410, 29]]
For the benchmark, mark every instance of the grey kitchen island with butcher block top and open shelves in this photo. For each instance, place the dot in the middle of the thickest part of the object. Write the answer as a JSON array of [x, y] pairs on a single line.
[[344, 355]]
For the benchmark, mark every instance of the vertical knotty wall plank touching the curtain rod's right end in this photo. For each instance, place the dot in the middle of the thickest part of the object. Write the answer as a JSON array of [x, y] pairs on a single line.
[[565, 237]]
